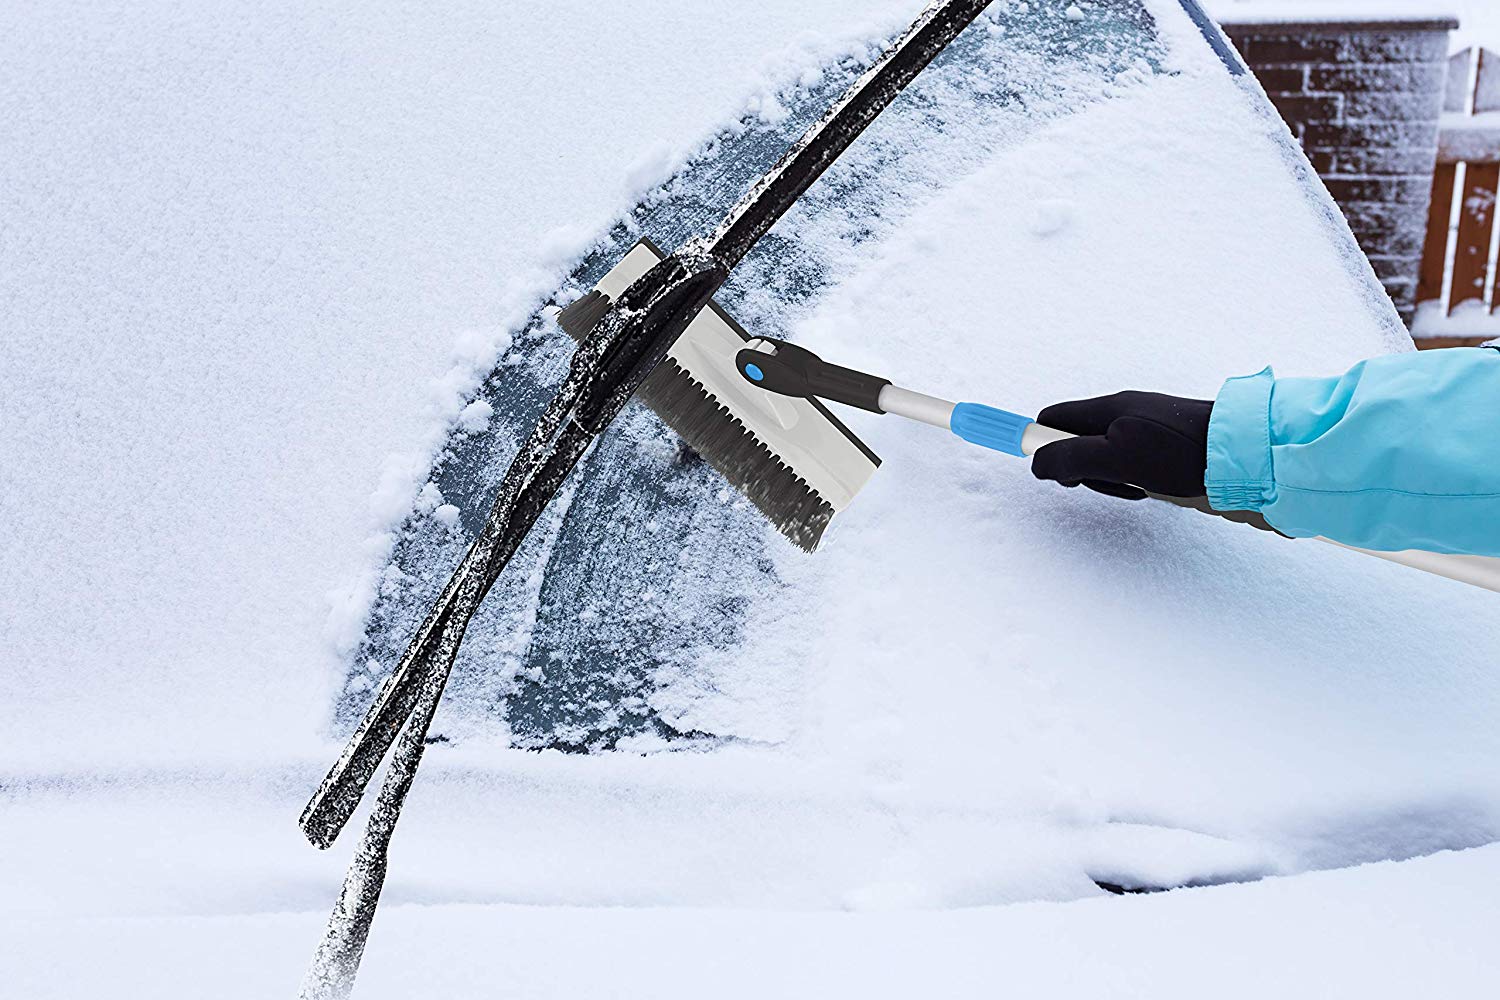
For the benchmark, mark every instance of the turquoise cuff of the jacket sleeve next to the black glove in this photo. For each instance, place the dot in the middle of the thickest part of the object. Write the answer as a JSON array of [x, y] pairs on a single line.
[[1240, 475]]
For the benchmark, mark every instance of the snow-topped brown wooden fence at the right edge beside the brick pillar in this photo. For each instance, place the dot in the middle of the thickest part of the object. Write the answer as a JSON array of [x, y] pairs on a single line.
[[1457, 290]]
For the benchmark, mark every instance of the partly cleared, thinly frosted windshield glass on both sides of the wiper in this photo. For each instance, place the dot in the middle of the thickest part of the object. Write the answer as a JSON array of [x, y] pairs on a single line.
[[649, 570]]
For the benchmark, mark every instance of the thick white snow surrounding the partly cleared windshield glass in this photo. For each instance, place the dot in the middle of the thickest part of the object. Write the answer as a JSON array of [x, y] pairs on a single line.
[[250, 260]]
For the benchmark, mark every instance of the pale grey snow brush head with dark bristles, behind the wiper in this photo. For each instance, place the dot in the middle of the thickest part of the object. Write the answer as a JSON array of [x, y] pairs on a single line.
[[790, 457]]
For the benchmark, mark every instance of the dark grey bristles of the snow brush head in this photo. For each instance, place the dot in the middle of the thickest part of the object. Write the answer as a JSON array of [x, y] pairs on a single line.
[[710, 430]]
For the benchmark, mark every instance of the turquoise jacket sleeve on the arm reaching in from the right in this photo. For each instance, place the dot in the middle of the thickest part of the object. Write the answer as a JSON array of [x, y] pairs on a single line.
[[1402, 452]]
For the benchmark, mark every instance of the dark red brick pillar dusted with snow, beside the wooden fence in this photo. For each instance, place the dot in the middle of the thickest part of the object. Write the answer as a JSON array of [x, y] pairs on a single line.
[[1364, 100]]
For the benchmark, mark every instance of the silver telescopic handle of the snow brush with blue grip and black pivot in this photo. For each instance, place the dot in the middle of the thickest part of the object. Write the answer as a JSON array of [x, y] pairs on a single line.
[[788, 371]]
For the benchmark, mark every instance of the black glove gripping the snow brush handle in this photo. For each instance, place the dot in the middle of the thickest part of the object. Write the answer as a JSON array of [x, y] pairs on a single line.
[[1129, 445]]
